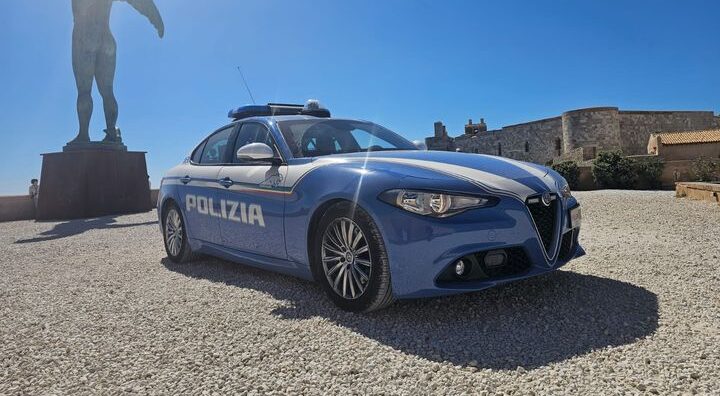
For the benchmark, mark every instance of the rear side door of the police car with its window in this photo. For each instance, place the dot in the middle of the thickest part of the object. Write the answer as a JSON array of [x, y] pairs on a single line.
[[198, 190]]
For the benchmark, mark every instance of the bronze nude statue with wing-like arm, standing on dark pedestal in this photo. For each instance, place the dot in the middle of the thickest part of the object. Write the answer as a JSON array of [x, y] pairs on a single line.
[[94, 59]]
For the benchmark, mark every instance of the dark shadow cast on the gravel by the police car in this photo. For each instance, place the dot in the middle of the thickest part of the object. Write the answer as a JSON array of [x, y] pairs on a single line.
[[530, 323]]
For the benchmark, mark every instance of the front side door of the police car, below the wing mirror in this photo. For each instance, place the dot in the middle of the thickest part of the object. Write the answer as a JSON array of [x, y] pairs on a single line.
[[253, 199]]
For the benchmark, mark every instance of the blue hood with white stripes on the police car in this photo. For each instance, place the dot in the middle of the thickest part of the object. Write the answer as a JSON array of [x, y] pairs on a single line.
[[492, 173]]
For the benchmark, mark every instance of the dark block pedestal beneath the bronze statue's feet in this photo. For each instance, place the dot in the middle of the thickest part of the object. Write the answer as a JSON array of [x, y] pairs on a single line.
[[91, 183]]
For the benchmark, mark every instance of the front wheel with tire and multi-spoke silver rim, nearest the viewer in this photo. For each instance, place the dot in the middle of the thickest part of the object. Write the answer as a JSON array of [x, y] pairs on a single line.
[[354, 271]]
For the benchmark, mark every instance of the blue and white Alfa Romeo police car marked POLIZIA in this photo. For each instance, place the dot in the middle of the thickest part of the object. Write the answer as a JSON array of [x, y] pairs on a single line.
[[363, 211]]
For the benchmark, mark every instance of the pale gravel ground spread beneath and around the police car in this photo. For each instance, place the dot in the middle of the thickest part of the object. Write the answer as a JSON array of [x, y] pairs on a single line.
[[93, 307]]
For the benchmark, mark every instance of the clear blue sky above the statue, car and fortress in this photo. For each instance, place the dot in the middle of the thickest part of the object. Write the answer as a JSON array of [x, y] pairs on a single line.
[[401, 63]]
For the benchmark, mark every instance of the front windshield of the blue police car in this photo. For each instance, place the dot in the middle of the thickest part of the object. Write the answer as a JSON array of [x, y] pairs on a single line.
[[316, 137]]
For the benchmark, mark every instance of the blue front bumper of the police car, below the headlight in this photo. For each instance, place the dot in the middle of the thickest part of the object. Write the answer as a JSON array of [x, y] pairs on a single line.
[[420, 248]]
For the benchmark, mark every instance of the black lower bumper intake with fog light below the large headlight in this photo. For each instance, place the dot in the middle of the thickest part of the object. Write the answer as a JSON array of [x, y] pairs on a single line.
[[517, 263]]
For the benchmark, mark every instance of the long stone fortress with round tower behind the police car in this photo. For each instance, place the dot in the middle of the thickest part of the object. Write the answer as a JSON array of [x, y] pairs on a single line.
[[577, 134]]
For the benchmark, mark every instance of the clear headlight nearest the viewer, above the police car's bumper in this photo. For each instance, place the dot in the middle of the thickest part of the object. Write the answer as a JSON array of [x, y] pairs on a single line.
[[434, 204]]
